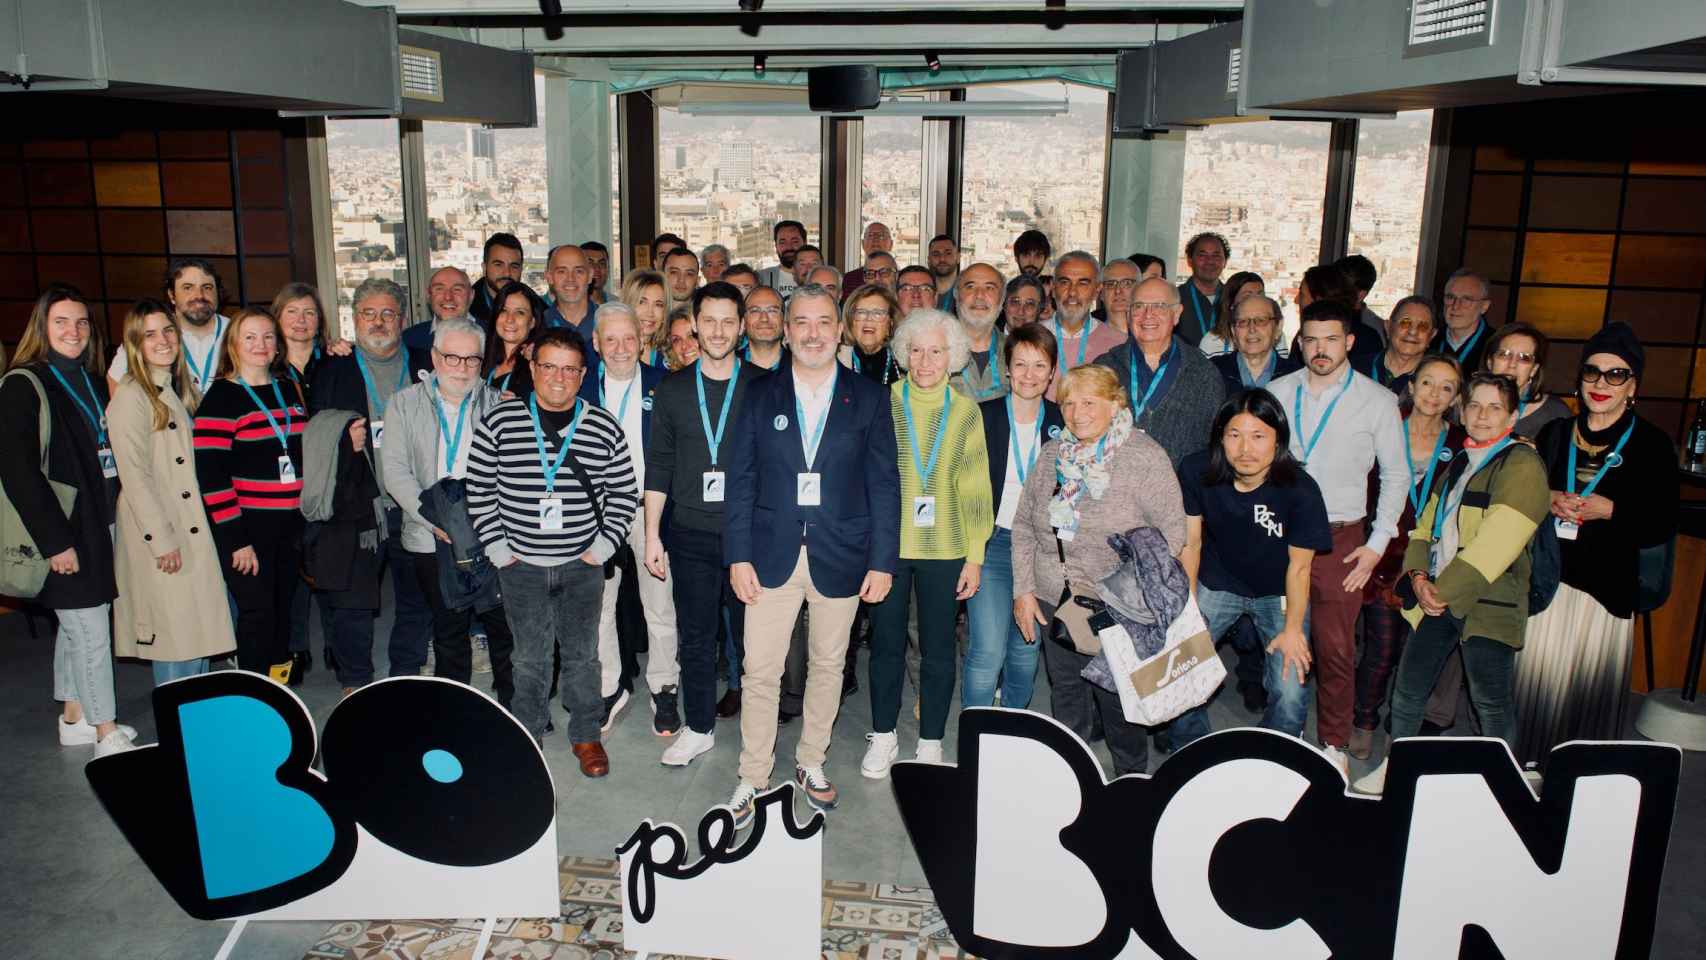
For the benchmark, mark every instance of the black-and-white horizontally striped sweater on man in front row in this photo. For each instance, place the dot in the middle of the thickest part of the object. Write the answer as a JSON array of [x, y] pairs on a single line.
[[506, 487]]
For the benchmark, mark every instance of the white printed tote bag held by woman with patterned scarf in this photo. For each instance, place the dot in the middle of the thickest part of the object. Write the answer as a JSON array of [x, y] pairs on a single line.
[[1161, 688]]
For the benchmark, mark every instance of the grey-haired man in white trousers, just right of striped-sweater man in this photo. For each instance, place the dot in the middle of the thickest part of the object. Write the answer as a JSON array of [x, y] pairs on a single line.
[[624, 388]]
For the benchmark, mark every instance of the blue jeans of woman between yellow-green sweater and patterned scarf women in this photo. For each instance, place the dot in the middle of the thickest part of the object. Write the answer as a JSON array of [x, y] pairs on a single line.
[[995, 647]]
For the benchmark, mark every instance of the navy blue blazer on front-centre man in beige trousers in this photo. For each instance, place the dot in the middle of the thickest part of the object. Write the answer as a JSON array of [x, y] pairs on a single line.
[[859, 526]]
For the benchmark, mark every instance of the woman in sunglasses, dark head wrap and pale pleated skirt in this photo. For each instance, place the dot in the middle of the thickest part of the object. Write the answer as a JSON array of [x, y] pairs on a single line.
[[1615, 492]]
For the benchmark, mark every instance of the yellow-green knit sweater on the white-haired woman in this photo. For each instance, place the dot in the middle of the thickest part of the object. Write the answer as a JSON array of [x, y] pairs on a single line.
[[960, 480]]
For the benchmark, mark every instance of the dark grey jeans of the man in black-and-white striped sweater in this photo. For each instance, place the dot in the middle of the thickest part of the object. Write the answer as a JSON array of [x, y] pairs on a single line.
[[555, 606]]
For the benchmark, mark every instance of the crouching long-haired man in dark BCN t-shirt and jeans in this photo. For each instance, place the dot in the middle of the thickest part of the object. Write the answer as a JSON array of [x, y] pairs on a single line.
[[1253, 526]]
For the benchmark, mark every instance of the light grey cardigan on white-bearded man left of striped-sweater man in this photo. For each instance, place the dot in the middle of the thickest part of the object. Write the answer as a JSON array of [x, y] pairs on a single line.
[[412, 454]]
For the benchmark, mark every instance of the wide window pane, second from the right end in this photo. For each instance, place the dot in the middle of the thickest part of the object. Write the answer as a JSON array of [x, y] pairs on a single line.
[[1262, 185]]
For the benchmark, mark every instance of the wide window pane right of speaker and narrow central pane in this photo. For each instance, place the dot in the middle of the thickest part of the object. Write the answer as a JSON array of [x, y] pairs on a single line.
[[1035, 171]]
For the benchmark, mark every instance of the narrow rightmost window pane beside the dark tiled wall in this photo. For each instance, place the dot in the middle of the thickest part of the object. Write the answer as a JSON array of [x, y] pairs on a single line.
[[1386, 207]]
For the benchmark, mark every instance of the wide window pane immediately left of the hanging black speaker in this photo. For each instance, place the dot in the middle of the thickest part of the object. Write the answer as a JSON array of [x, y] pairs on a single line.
[[728, 180]]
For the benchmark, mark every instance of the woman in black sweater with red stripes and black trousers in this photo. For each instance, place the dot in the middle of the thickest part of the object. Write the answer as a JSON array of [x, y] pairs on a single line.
[[250, 465]]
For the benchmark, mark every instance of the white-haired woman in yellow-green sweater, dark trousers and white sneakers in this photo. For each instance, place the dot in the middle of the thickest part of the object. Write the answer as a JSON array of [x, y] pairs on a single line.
[[948, 514]]
